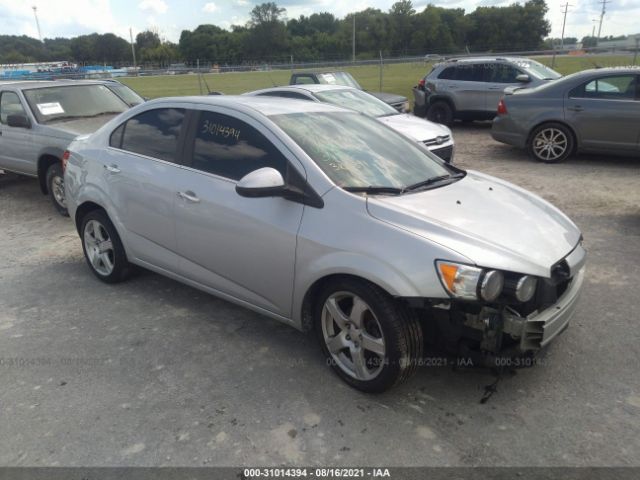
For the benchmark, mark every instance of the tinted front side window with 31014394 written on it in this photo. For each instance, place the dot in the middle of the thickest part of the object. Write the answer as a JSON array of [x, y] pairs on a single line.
[[231, 148]]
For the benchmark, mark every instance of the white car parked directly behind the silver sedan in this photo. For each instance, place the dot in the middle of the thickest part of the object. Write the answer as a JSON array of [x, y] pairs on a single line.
[[435, 137]]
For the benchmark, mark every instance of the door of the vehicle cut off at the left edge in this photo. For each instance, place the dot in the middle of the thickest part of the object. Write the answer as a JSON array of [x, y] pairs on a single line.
[[16, 144]]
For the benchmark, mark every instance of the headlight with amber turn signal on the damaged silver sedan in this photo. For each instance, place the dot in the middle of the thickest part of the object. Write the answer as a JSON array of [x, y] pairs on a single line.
[[467, 283]]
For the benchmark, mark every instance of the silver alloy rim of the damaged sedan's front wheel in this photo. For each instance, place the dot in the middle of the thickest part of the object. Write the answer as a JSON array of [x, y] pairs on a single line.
[[353, 336]]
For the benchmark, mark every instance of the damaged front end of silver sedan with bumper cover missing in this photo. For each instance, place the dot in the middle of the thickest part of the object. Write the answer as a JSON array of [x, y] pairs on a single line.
[[494, 315]]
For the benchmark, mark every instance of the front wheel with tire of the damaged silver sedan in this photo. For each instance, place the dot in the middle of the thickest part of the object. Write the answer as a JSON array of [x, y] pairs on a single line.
[[370, 341]]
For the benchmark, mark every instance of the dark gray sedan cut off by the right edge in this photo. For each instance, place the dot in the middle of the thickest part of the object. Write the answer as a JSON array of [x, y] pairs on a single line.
[[594, 110]]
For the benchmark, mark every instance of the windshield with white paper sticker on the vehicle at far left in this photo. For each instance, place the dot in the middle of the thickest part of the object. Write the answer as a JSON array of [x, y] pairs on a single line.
[[73, 101]]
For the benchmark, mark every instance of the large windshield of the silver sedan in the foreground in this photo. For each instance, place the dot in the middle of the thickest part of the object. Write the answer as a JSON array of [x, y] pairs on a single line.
[[358, 151]]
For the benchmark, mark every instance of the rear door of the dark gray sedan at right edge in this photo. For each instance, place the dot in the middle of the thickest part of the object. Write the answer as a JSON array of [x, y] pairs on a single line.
[[605, 112]]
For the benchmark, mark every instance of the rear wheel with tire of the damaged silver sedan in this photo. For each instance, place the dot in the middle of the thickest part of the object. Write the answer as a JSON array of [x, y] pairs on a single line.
[[103, 249]]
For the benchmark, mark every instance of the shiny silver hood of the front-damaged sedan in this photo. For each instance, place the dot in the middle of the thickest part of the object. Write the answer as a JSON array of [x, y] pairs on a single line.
[[491, 222]]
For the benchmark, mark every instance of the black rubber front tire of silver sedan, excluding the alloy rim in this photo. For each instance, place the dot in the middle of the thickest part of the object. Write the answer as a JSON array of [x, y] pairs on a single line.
[[382, 306]]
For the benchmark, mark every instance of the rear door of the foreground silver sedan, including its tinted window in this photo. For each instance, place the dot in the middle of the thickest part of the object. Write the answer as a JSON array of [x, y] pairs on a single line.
[[140, 169]]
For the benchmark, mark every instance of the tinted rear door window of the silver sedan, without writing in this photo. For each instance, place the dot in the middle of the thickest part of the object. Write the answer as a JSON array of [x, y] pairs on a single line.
[[153, 133]]
